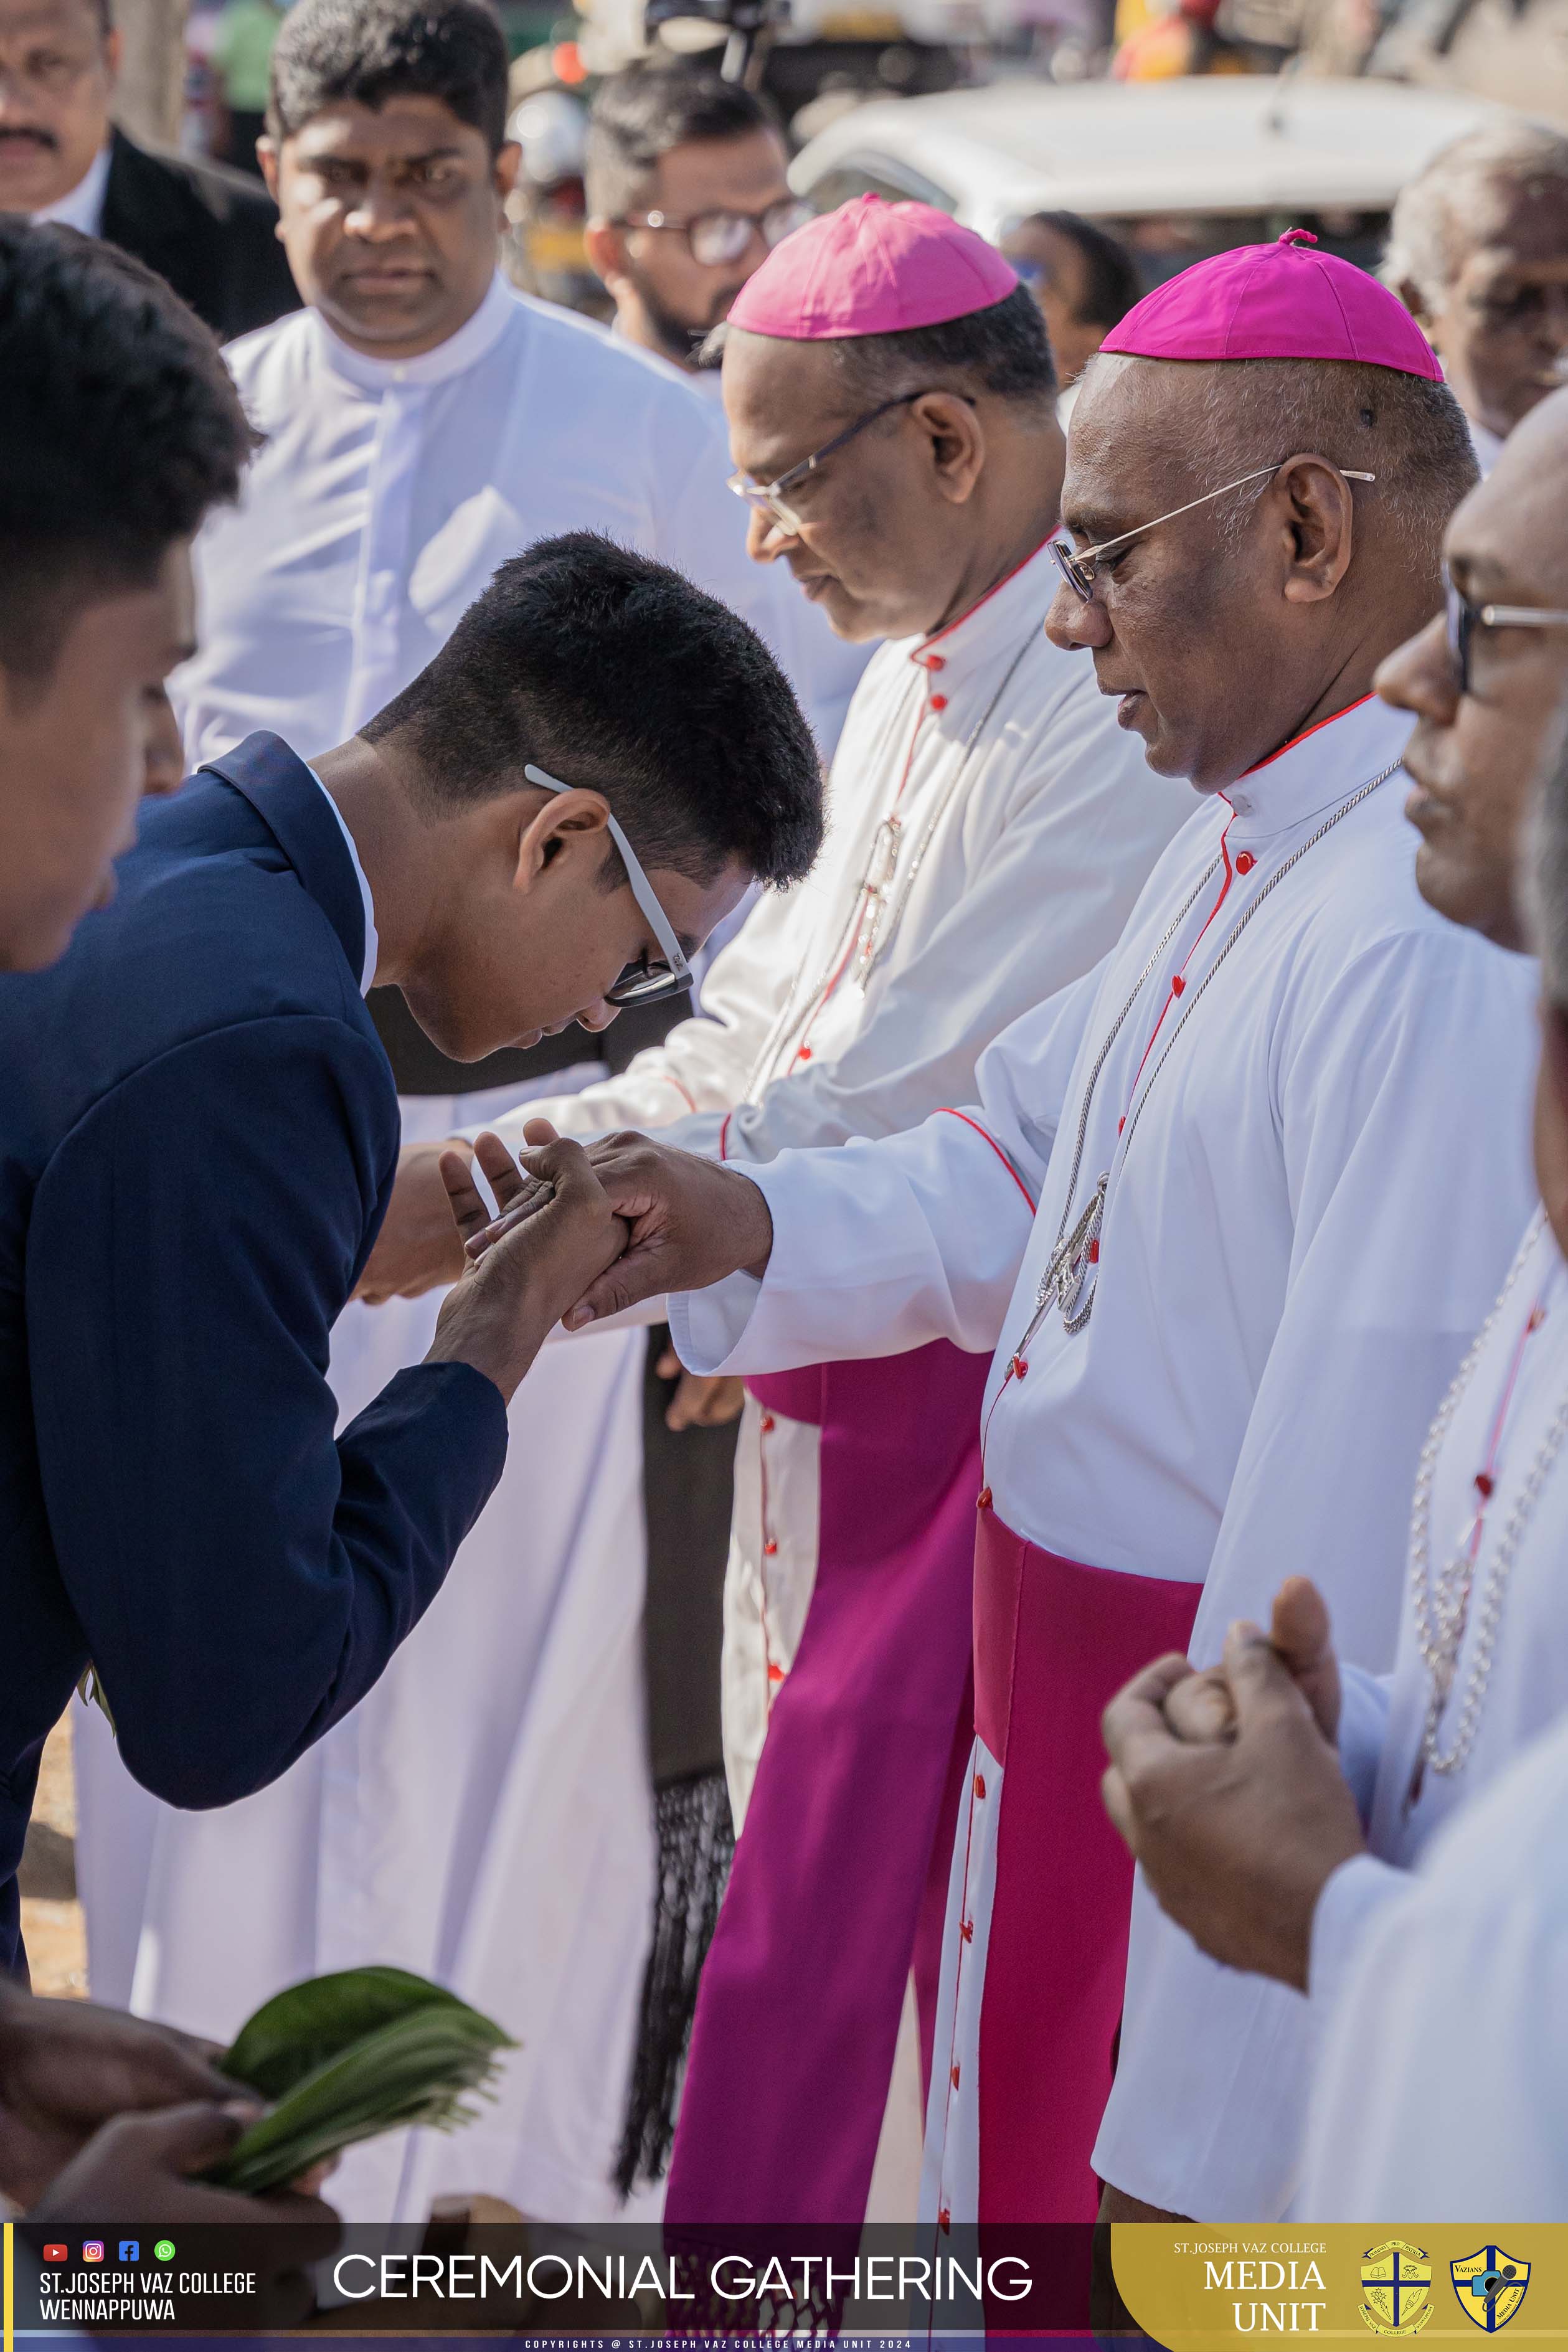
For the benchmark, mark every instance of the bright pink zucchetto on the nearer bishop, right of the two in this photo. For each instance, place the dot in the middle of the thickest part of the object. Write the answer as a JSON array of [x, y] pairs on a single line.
[[1275, 302]]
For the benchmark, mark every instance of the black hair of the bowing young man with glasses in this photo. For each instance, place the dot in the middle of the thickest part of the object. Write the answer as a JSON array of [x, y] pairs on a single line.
[[615, 674]]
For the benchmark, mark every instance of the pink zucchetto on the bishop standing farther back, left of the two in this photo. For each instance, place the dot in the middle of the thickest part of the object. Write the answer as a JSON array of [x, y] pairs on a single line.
[[871, 269]]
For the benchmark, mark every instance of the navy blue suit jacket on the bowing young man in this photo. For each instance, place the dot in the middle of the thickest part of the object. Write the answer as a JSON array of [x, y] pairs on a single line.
[[199, 1137]]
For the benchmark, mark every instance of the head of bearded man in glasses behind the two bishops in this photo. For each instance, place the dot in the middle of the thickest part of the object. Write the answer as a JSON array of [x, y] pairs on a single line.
[[688, 196]]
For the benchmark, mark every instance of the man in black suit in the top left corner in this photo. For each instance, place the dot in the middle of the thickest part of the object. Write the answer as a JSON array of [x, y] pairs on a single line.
[[210, 232]]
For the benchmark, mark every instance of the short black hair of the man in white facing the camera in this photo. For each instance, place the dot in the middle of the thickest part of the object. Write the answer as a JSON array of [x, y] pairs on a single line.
[[377, 51]]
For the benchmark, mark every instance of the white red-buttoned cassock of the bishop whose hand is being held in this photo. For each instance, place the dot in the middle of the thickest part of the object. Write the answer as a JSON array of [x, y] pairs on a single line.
[[1315, 1135]]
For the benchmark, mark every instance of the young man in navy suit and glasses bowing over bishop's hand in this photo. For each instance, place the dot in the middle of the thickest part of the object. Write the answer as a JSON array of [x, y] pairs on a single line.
[[199, 1137]]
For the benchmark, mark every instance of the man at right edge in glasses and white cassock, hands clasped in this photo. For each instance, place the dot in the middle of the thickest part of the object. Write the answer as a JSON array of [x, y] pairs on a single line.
[[1261, 1862]]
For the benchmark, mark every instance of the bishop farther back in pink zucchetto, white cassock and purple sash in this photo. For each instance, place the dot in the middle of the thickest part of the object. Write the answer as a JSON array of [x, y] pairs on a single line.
[[890, 394]]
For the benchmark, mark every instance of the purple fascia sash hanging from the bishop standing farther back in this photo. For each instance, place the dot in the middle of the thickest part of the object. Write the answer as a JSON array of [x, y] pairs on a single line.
[[840, 1873]]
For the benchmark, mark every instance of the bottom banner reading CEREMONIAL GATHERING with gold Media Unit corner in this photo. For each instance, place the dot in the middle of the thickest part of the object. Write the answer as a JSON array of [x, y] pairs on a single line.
[[1172, 2287]]
